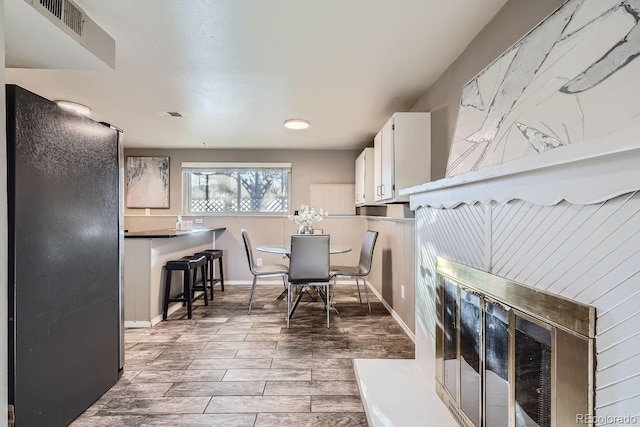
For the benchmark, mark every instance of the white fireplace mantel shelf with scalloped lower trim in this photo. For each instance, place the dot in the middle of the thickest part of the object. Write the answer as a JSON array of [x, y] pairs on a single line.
[[585, 173]]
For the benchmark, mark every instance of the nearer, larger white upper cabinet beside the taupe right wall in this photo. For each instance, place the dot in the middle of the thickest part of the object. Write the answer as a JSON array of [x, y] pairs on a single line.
[[402, 151]]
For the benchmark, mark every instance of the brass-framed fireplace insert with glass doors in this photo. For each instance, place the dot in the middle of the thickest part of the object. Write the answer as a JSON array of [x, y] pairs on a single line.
[[511, 355]]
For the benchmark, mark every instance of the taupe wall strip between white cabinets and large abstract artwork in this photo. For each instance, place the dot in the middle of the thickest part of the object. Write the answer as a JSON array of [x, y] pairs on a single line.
[[514, 20]]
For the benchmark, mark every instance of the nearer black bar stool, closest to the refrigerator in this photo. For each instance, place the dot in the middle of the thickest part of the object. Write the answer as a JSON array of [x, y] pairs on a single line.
[[187, 265]]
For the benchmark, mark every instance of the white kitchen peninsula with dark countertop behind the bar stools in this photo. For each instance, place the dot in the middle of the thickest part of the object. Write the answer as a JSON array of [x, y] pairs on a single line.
[[145, 254]]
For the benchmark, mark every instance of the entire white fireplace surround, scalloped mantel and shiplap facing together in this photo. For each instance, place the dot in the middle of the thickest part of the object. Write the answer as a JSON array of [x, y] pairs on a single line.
[[566, 221]]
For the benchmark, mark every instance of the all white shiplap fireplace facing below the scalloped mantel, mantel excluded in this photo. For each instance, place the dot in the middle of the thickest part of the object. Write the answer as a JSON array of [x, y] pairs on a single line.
[[587, 252]]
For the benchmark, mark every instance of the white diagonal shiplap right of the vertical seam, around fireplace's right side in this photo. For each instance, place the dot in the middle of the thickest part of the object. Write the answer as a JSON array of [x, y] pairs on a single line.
[[590, 253]]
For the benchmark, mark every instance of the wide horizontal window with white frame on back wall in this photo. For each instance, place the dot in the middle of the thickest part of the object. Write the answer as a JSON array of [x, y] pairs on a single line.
[[235, 187]]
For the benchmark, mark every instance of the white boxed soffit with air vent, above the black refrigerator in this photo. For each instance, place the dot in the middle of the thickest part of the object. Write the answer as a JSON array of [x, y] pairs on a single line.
[[55, 34]]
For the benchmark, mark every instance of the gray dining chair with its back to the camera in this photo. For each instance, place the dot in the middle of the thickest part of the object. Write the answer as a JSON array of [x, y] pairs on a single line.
[[308, 264]]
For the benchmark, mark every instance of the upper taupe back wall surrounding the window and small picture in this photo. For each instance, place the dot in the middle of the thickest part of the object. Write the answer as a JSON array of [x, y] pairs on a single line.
[[308, 167]]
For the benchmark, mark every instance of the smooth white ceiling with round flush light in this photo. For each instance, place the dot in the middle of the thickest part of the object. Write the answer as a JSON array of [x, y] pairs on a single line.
[[236, 69]]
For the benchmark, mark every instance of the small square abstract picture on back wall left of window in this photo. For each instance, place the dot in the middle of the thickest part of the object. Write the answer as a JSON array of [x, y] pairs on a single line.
[[147, 182]]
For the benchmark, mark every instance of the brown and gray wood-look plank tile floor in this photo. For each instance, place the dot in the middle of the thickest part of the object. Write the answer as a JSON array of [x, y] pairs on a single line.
[[226, 368]]
